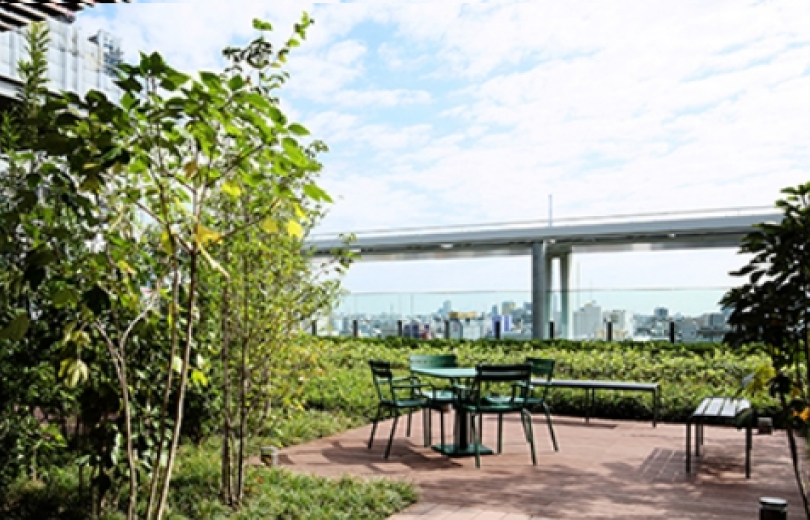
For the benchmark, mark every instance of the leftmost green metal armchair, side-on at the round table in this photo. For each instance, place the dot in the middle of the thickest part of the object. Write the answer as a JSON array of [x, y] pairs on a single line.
[[389, 390]]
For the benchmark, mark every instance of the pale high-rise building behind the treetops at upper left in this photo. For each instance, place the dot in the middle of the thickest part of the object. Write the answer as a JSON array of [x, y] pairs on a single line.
[[76, 63]]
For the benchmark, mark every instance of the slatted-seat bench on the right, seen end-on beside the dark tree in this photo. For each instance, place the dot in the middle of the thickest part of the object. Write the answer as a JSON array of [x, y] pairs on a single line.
[[719, 410]]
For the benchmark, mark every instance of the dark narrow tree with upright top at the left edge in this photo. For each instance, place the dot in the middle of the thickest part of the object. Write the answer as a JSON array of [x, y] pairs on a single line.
[[39, 207]]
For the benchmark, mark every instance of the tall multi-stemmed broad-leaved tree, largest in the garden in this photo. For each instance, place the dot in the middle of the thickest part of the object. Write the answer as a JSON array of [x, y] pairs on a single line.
[[102, 201]]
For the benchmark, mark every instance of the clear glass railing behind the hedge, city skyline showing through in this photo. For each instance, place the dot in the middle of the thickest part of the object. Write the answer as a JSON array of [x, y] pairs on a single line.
[[679, 314]]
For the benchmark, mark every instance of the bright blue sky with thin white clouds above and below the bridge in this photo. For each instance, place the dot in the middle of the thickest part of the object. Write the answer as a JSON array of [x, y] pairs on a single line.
[[446, 113]]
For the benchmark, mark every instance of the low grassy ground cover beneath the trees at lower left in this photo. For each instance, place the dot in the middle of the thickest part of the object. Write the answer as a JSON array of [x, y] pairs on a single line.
[[270, 493]]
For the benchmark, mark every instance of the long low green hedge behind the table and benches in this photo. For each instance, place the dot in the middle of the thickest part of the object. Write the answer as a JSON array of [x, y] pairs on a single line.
[[687, 372]]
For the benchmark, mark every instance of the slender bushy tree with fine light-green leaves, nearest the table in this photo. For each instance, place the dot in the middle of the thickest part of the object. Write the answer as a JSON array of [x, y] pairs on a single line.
[[272, 287]]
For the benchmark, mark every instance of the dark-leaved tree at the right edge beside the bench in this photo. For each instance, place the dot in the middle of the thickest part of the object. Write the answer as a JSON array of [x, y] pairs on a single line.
[[773, 307]]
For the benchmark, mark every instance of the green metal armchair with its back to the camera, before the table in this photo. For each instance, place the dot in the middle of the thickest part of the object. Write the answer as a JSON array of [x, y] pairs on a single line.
[[478, 400]]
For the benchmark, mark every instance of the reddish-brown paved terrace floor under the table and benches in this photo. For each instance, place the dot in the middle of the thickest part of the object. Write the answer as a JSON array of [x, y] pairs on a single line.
[[605, 469]]
